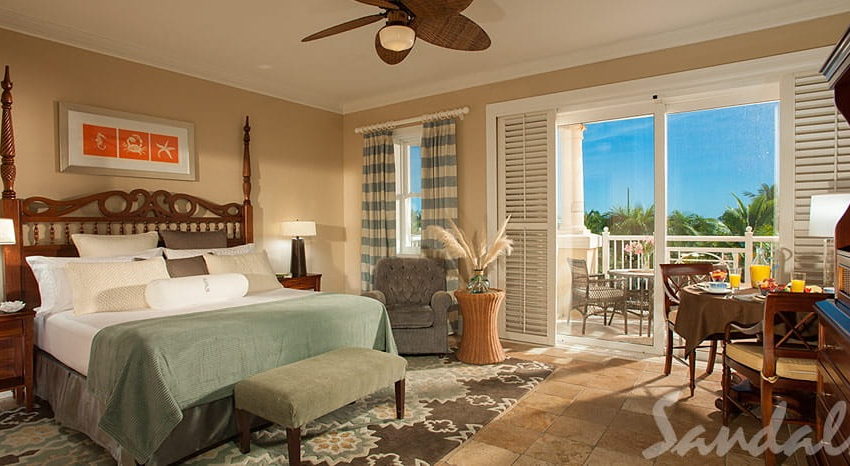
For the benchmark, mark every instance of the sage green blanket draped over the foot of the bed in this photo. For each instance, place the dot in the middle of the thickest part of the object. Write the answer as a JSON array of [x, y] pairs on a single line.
[[146, 372]]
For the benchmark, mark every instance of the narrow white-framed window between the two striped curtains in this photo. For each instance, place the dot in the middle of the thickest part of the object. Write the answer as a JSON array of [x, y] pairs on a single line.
[[408, 190]]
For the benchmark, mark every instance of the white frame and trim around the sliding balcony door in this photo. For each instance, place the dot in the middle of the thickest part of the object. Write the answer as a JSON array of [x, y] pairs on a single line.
[[688, 90]]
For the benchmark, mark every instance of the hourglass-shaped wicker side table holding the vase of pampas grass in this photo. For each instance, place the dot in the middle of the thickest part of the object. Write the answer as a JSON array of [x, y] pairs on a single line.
[[480, 341]]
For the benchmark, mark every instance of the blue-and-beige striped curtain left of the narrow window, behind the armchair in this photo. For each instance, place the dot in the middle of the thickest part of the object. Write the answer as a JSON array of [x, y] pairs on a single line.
[[378, 204]]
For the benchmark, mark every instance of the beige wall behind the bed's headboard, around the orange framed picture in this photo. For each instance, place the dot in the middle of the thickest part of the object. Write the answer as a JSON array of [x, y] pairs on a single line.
[[296, 150]]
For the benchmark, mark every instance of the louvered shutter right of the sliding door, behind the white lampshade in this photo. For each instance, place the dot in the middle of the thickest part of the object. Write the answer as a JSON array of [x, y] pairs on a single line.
[[821, 163]]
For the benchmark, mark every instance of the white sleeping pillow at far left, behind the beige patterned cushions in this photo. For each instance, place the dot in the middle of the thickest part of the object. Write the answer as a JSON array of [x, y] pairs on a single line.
[[53, 285]]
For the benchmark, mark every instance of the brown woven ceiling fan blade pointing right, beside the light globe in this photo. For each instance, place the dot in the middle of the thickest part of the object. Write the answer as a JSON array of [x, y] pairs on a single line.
[[452, 32]]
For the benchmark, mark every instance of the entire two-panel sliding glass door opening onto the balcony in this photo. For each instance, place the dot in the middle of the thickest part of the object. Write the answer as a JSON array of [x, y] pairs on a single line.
[[642, 185]]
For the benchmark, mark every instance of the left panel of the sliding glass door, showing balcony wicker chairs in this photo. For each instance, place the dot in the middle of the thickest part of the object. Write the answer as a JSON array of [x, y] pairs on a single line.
[[606, 226]]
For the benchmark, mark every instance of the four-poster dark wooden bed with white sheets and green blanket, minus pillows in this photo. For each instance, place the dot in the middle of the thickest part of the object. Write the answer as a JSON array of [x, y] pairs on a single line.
[[150, 386]]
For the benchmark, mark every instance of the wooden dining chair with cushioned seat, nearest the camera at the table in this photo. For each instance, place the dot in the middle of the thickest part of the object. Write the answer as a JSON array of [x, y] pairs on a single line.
[[780, 358]]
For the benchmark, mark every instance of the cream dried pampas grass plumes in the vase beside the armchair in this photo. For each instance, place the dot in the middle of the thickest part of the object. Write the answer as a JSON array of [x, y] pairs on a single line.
[[476, 253]]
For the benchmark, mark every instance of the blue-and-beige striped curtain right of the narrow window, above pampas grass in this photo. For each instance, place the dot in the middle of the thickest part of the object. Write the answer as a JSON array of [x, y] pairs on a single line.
[[439, 187]]
